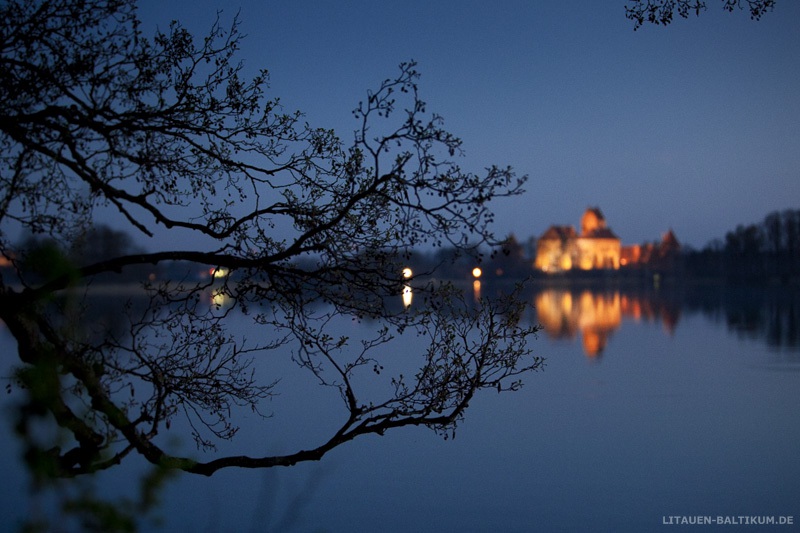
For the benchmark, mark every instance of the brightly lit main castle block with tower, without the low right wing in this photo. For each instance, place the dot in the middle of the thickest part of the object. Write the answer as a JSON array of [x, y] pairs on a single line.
[[560, 248]]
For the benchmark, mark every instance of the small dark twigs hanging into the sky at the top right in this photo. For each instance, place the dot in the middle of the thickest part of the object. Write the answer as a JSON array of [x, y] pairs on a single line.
[[663, 11]]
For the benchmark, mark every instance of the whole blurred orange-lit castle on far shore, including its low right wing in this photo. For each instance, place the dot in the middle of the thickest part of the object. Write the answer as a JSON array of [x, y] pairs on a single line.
[[560, 248]]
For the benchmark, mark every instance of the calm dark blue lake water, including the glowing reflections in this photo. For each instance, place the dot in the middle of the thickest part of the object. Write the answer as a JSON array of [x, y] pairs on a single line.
[[654, 406]]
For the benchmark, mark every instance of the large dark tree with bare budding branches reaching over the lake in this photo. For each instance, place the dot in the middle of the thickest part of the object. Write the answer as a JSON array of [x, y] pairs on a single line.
[[300, 227]]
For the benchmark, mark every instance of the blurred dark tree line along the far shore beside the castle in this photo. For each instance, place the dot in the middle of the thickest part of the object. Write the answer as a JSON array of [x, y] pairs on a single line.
[[763, 252]]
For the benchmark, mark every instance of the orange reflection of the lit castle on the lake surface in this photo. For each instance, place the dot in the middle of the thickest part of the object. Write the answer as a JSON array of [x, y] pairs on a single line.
[[595, 316]]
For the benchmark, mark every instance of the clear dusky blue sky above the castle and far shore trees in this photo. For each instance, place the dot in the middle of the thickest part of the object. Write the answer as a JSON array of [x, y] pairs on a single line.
[[694, 127]]
